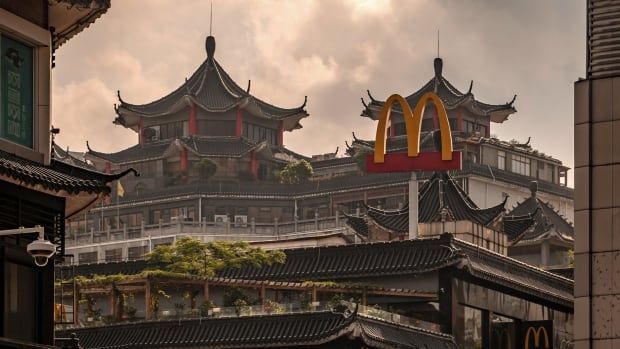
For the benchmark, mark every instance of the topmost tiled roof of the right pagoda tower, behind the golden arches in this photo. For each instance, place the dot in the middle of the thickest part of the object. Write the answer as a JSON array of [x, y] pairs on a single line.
[[451, 97]]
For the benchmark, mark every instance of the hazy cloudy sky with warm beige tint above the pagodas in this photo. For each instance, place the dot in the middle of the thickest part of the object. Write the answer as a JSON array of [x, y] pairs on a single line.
[[332, 51]]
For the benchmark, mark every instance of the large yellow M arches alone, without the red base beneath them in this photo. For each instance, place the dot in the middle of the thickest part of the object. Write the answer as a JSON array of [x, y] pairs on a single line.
[[413, 125]]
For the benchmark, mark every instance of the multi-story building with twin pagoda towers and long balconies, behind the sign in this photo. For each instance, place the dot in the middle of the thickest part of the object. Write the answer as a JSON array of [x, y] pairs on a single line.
[[211, 117]]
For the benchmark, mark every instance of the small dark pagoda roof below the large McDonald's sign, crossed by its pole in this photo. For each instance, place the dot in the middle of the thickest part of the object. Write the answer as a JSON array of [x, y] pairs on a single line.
[[439, 198]]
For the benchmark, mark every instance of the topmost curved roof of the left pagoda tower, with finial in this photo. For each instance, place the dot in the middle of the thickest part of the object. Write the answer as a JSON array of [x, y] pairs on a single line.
[[212, 89]]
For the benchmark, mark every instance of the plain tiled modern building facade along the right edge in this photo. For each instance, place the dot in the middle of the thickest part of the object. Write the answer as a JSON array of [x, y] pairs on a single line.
[[597, 182]]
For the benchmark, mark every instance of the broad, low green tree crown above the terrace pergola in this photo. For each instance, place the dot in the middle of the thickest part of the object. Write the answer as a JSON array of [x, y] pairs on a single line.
[[194, 257]]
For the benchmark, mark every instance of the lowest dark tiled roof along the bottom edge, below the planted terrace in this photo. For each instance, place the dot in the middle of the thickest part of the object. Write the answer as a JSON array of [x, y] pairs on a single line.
[[262, 331]]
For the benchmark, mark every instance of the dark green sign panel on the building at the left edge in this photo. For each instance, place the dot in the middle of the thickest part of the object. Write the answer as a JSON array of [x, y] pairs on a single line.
[[16, 87]]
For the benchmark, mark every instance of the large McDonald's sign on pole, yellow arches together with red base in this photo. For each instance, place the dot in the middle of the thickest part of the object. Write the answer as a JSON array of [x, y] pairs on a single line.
[[413, 160]]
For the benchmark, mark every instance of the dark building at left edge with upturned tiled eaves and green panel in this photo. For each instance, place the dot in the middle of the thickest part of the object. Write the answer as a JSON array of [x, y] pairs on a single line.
[[37, 191]]
